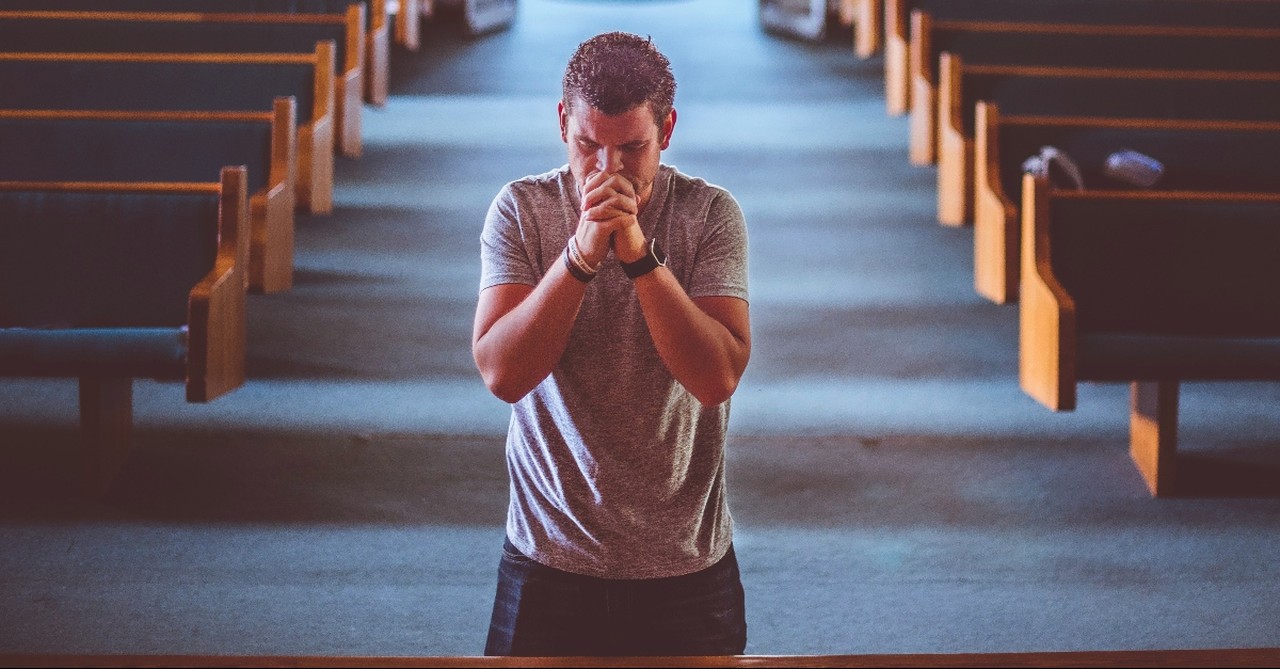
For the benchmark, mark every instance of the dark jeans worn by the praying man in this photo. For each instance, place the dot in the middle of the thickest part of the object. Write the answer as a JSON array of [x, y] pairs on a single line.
[[546, 612]]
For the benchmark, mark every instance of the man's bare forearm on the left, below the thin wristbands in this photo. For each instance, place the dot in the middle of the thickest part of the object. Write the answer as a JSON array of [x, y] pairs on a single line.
[[522, 349]]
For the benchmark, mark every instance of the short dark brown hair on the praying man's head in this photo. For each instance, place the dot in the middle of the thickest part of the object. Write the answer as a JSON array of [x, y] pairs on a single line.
[[616, 72]]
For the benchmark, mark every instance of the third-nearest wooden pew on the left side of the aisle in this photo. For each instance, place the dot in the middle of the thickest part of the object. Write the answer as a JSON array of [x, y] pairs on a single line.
[[191, 83]]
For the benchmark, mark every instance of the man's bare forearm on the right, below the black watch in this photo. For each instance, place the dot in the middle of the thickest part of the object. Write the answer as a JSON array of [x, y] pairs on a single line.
[[703, 354]]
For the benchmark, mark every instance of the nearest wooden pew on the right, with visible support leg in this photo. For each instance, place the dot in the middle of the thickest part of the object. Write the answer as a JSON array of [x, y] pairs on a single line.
[[1150, 288]]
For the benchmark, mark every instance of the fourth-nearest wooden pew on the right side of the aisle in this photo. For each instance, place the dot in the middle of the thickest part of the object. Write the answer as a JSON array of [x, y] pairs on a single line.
[[1071, 45]]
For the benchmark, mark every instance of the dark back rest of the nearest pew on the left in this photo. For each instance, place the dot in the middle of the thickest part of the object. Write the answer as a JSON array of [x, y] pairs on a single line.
[[103, 260]]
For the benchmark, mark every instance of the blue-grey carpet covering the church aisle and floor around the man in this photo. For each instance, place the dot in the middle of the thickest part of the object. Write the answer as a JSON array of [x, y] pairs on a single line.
[[894, 489]]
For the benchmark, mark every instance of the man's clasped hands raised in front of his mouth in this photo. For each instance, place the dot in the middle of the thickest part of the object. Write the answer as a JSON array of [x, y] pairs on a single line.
[[610, 219]]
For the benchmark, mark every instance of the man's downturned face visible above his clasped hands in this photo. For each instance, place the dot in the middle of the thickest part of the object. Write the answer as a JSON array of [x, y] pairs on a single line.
[[629, 144]]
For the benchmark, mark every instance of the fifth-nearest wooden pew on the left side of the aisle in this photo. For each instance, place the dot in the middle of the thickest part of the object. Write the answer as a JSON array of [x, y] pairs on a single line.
[[377, 35]]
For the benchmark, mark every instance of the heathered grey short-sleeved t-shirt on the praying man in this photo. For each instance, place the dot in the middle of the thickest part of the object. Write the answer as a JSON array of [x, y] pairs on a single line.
[[616, 470]]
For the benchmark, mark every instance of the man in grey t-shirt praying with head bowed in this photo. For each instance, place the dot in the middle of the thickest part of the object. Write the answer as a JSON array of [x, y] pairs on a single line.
[[614, 317]]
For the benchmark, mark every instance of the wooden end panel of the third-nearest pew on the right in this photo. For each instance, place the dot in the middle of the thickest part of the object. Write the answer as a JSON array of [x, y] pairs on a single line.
[[956, 149]]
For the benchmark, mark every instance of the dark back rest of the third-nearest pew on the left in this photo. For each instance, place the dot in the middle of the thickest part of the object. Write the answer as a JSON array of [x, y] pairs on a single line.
[[163, 83]]
